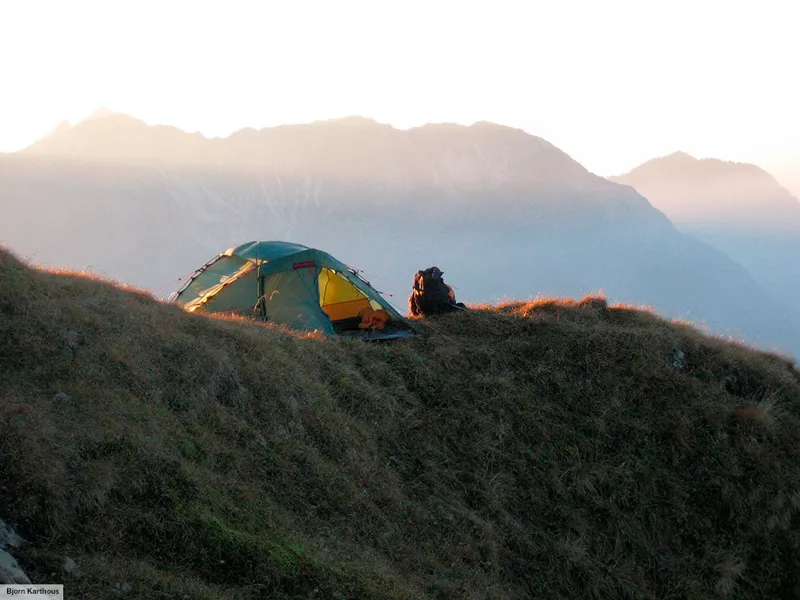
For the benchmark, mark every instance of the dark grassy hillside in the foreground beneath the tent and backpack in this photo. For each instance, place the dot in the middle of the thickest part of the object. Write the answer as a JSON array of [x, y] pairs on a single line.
[[548, 449]]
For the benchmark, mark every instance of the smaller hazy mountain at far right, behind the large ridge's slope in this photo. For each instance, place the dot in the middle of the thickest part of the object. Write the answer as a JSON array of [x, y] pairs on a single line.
[[737, 207]]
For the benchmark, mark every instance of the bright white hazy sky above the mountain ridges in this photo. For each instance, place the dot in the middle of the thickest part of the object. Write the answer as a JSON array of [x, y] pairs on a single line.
[[611, 82]]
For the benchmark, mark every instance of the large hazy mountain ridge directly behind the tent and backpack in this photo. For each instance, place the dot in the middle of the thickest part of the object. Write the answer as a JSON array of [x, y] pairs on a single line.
[[504, 213]]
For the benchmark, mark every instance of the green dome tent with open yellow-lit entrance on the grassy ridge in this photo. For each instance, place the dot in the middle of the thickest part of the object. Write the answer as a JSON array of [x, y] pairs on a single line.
[[289, 284]]
